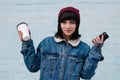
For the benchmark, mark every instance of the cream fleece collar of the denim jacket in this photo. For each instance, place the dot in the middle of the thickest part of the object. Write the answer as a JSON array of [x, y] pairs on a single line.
[[74, 43]]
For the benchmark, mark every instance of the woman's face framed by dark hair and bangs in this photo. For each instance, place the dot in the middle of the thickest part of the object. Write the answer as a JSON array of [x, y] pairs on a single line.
[[68, 28]]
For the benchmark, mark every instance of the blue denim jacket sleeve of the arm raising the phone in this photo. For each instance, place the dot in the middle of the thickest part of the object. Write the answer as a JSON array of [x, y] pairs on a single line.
[[91, 62]]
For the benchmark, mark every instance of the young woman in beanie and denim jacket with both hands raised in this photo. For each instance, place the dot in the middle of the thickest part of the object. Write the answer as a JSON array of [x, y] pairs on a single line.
[[63, 56]]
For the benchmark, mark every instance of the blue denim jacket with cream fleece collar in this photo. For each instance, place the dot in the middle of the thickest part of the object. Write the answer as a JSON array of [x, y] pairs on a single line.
[[60, 60]]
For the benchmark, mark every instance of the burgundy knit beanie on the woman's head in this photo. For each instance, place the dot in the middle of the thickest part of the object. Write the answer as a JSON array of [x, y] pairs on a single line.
[[72, 9]]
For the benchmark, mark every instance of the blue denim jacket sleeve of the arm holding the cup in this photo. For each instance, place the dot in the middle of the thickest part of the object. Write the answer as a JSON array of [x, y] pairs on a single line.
[[31, 59]]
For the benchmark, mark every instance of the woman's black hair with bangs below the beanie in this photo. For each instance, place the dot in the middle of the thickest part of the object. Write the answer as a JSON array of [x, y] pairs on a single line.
[[68, 15]]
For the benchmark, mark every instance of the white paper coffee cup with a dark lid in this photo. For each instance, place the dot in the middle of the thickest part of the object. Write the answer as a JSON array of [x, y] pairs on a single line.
[[23, 27]]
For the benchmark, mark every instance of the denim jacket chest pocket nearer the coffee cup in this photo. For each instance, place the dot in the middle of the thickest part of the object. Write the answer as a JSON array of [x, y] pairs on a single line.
[[49, 61]]
